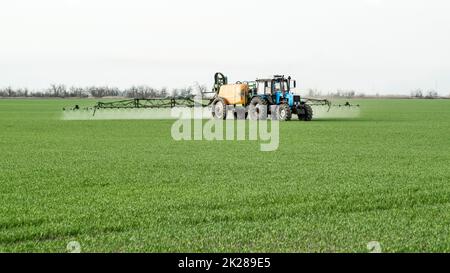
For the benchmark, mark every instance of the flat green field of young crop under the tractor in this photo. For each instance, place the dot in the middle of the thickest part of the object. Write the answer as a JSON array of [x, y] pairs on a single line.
[[333, 185]]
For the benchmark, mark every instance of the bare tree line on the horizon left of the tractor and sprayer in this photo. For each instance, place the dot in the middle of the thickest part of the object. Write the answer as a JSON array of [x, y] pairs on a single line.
[[62, 91]]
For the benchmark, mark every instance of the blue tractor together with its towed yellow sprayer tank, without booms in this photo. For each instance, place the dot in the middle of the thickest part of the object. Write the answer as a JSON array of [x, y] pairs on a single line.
[[258, 99]]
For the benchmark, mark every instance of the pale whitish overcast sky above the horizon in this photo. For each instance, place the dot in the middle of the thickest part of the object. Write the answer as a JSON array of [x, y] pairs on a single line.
[[371, 46]]
